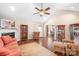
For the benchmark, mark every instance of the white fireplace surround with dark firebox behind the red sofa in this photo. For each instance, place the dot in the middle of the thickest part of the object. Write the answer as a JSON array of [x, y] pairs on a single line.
[[11, 32]]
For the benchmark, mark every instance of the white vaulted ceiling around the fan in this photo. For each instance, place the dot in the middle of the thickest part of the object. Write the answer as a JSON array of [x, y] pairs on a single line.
[[24, 11]]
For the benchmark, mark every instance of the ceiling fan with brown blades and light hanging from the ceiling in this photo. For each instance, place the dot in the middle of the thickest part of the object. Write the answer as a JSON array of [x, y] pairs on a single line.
[[42, 11]]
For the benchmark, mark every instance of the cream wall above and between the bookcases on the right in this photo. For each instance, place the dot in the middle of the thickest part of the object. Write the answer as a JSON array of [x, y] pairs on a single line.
[[64, 18]]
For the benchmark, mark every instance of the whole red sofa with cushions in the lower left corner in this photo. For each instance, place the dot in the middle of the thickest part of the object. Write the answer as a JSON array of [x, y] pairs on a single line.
[[9, 46]]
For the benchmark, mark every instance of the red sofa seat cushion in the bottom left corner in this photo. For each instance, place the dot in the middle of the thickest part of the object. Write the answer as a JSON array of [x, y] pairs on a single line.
[[6, 52]]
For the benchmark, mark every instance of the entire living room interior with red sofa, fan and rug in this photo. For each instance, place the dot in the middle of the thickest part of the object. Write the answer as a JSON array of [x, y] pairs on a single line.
[[45, 29]]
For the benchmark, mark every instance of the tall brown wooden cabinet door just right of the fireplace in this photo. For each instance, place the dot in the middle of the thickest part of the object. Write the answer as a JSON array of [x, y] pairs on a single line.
[[24, 32]]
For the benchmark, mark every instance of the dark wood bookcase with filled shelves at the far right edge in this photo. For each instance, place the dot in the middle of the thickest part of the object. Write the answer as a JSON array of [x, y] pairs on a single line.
[[74, 31]]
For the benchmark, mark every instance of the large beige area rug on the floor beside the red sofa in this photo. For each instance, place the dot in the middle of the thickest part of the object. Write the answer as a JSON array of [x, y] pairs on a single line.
[[34, 49]]
